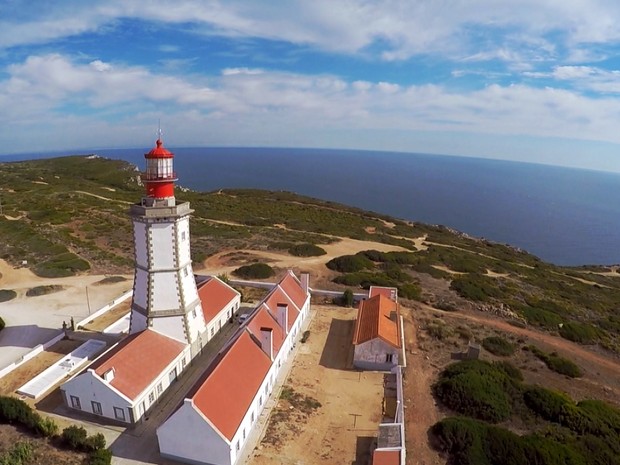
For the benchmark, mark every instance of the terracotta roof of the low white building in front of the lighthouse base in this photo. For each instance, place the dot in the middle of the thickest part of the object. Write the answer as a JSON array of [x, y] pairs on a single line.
[[137, 360]]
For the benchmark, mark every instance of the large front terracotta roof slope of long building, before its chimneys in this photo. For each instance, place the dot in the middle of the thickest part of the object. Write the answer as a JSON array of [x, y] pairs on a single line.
[[226, 394]]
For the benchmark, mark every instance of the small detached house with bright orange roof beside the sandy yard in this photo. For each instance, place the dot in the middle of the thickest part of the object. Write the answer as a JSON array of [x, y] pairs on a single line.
[[377, 334]]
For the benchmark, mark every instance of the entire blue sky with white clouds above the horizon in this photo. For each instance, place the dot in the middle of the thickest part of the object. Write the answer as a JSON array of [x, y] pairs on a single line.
[[527, 80]]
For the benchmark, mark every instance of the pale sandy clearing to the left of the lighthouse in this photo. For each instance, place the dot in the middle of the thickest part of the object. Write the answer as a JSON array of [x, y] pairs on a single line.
[[34, 320]]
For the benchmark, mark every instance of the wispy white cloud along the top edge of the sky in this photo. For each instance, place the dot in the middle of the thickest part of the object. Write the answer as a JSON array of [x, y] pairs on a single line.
[[512, 31]]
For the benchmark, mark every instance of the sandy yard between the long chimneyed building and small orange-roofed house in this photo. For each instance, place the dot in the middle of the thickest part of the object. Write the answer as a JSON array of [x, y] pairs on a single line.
[[341, 429]]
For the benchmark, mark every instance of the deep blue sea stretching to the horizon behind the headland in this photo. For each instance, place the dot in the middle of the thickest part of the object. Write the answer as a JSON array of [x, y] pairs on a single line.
[[565, 216]]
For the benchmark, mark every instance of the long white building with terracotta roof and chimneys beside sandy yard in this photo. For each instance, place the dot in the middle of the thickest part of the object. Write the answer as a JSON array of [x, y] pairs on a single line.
[[221, 410]]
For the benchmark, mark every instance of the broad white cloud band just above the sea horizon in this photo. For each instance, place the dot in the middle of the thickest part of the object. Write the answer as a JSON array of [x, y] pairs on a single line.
[[275, 108]]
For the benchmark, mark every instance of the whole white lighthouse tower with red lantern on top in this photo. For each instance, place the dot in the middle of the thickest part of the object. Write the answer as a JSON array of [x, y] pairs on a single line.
[[165, 297]]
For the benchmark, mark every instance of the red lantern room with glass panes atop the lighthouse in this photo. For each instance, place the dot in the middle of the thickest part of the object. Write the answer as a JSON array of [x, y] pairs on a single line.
[[159, 177]]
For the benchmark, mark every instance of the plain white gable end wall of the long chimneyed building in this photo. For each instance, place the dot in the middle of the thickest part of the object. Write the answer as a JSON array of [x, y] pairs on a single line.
[[188, 436]]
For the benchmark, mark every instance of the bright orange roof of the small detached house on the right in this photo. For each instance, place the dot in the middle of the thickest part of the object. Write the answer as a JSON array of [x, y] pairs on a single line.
[[373, 320]]
